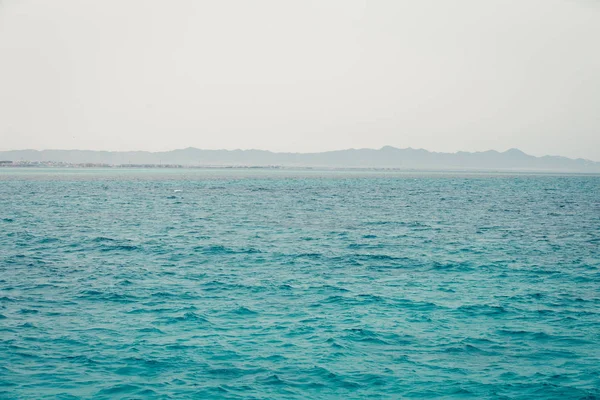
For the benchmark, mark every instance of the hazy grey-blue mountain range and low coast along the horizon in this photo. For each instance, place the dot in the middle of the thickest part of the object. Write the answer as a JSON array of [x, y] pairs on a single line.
[[386, 157]]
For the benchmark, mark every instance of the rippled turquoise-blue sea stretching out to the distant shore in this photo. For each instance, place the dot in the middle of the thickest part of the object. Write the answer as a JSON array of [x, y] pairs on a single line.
[[281, 284]]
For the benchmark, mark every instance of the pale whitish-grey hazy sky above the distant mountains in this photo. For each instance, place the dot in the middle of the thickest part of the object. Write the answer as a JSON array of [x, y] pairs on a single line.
[[301, 75]]
